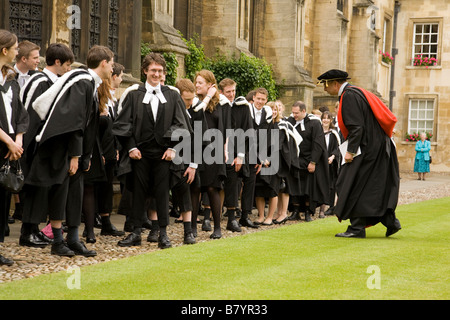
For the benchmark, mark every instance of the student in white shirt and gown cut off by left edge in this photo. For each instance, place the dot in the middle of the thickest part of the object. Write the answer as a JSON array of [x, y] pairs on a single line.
[[13, 119]]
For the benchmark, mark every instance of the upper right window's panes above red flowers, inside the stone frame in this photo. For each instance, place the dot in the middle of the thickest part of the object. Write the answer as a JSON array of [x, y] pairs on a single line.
[[426, 40]]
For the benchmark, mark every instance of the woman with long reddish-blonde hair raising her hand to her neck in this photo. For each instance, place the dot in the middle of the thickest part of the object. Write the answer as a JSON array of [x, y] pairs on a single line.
[[218, 118]]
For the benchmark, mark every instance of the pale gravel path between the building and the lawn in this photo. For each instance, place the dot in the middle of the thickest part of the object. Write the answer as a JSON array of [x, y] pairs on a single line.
[[32, 262]]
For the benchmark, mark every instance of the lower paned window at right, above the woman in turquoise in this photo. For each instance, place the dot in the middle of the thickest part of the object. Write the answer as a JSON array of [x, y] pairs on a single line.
[[421, 115]]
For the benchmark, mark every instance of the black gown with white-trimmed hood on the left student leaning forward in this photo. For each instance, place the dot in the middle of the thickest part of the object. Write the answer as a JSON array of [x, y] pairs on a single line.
[[69, 130]]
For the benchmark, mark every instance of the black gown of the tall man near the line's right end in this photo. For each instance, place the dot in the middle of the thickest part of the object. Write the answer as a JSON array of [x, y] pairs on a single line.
[[315, 186]]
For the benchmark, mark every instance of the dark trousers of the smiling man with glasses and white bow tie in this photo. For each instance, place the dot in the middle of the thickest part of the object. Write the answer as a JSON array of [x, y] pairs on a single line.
[[151, 177]]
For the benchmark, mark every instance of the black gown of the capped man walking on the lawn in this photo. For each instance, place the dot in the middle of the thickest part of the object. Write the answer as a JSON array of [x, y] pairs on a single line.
[[369, 186]]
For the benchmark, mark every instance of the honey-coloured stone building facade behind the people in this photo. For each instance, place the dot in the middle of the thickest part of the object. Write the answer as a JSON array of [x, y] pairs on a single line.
[[300, 38]]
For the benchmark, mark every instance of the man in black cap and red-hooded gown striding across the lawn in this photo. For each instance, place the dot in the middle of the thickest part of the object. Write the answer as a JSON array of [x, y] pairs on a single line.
[[368, 184]]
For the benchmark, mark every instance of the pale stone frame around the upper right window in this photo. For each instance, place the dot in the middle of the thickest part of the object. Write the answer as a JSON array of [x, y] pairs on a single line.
[[411, 32]]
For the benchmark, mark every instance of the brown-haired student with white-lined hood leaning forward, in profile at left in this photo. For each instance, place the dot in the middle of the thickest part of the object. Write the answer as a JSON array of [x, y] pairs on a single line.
[[66, 143]]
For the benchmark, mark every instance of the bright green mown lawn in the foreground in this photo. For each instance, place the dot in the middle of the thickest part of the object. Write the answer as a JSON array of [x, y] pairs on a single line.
[[301, 261]]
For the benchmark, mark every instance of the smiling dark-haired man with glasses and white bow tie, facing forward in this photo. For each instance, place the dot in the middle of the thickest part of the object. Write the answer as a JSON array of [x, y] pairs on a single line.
[[148, 115]]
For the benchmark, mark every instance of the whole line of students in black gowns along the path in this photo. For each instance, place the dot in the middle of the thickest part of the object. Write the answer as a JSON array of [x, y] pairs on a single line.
[[73, 138]]
